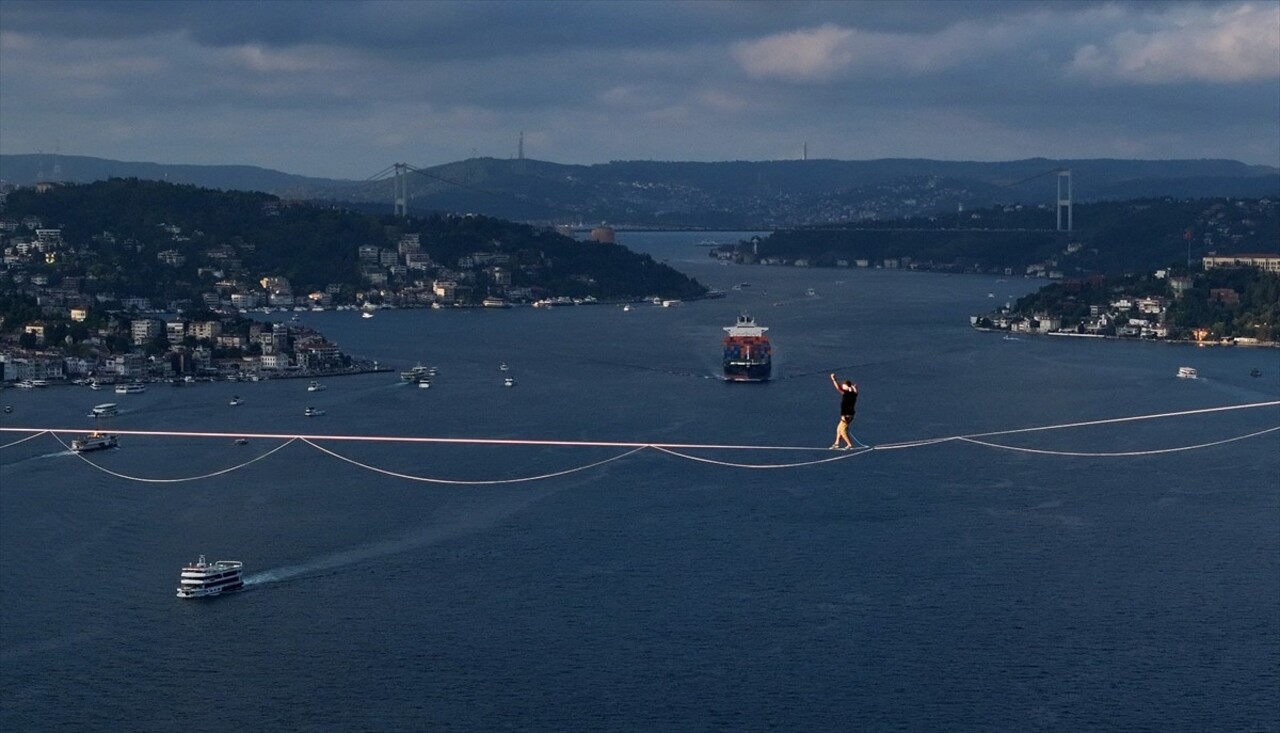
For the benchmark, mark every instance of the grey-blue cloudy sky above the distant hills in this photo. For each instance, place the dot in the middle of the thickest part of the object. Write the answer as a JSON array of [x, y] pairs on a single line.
[[345, 89]]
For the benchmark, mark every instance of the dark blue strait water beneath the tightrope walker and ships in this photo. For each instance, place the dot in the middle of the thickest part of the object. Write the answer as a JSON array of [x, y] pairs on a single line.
[[949, 587]]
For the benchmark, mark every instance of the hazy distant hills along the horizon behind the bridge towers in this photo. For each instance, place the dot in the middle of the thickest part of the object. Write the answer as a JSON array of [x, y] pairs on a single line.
[[740, 195]]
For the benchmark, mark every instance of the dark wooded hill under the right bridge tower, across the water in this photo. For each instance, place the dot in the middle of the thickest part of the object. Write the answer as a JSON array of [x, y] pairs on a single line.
[[1108, 239]]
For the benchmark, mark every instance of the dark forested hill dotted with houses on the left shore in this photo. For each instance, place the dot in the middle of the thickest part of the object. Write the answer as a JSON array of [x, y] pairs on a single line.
[[130, 237]]
